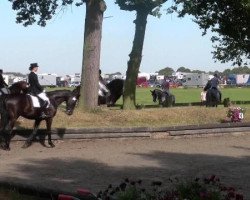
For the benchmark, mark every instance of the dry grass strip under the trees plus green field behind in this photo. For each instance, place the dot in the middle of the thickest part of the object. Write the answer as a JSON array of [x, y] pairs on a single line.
[[150, 117]]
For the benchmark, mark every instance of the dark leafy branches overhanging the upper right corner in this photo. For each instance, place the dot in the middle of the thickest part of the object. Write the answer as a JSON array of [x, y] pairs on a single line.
[[228, 19]]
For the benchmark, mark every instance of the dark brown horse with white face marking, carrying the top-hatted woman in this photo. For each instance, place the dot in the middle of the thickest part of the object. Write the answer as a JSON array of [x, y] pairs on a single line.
[[13, 106]]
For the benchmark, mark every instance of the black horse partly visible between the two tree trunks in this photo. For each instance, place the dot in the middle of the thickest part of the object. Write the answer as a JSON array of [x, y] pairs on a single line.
[[115, 88]]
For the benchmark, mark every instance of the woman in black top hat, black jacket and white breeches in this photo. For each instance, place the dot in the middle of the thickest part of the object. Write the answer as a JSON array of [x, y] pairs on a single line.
[[37, 90]]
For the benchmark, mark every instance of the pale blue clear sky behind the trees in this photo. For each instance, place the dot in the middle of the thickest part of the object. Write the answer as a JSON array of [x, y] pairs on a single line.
[[57, 48]]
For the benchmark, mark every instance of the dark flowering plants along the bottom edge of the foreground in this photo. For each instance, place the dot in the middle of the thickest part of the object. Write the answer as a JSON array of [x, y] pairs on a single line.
[[199, 189]]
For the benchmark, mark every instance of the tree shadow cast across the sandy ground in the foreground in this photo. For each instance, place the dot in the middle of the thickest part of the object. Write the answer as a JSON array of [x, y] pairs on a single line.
[[71, 173]]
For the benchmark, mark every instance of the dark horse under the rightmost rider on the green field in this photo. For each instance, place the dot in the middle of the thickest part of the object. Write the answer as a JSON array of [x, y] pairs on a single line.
[[213, 96]]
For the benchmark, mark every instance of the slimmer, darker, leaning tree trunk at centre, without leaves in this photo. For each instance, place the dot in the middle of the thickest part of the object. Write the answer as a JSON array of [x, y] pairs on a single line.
[[129, 97]]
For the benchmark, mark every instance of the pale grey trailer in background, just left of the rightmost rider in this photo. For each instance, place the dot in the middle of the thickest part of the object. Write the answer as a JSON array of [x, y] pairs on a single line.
[[195, 79]]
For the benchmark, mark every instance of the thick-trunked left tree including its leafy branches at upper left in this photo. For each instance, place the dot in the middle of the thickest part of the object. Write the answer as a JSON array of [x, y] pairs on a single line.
[[28, 12]]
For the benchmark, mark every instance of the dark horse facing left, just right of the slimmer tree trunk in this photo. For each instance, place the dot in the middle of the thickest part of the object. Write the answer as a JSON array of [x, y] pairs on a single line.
[[158, 94]]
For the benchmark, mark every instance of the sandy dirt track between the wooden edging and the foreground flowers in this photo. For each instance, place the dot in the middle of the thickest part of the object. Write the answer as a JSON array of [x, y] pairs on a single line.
[[94, 164]]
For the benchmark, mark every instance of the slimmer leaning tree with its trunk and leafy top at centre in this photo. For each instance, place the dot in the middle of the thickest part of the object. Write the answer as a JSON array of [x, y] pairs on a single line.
[[143, 9]]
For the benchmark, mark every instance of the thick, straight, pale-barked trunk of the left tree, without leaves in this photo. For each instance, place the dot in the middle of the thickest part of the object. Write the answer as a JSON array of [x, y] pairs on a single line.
[[91, 54]]
